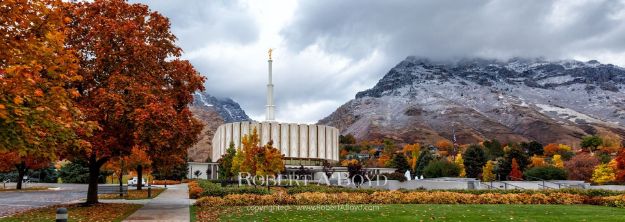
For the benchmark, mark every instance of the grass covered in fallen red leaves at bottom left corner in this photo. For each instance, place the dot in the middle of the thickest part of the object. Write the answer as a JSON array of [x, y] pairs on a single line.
[[96, 213]]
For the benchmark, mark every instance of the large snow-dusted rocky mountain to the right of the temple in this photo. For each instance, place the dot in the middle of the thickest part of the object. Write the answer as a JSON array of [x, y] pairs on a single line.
[[420, 100]]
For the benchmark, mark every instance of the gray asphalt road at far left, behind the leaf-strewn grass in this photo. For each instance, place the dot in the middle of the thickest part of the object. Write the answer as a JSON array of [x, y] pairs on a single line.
[[15, 201]]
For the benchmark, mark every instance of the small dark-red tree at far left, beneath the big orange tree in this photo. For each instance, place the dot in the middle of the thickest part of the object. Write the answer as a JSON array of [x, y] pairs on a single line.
[[13, 161]]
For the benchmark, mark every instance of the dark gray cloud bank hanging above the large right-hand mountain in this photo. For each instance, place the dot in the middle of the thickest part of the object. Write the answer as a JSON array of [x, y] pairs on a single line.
[[445, 28]]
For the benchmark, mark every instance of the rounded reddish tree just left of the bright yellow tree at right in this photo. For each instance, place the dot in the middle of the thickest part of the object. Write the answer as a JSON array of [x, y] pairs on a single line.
[[581, 167]]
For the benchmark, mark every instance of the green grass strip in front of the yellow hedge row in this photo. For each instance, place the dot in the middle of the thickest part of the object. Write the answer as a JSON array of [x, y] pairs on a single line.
[[427, 212]]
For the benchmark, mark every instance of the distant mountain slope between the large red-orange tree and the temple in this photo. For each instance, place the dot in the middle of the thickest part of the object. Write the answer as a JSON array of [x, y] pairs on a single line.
[[213, 112]]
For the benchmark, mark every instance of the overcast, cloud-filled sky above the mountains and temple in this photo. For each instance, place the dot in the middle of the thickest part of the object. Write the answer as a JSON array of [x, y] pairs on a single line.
[[326, 51]]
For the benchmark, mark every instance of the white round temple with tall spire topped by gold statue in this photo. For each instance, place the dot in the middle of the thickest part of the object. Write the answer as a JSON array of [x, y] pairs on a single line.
[[301, 144]]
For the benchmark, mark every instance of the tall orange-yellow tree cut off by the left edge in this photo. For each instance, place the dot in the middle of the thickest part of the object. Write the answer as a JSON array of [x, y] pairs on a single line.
[[37, 115]]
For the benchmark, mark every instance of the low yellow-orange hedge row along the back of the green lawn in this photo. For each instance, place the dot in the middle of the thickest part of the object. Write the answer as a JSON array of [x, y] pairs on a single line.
[[397, 197]]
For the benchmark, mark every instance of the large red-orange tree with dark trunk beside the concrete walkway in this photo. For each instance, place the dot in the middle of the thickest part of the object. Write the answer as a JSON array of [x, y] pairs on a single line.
[[134, 84]]
